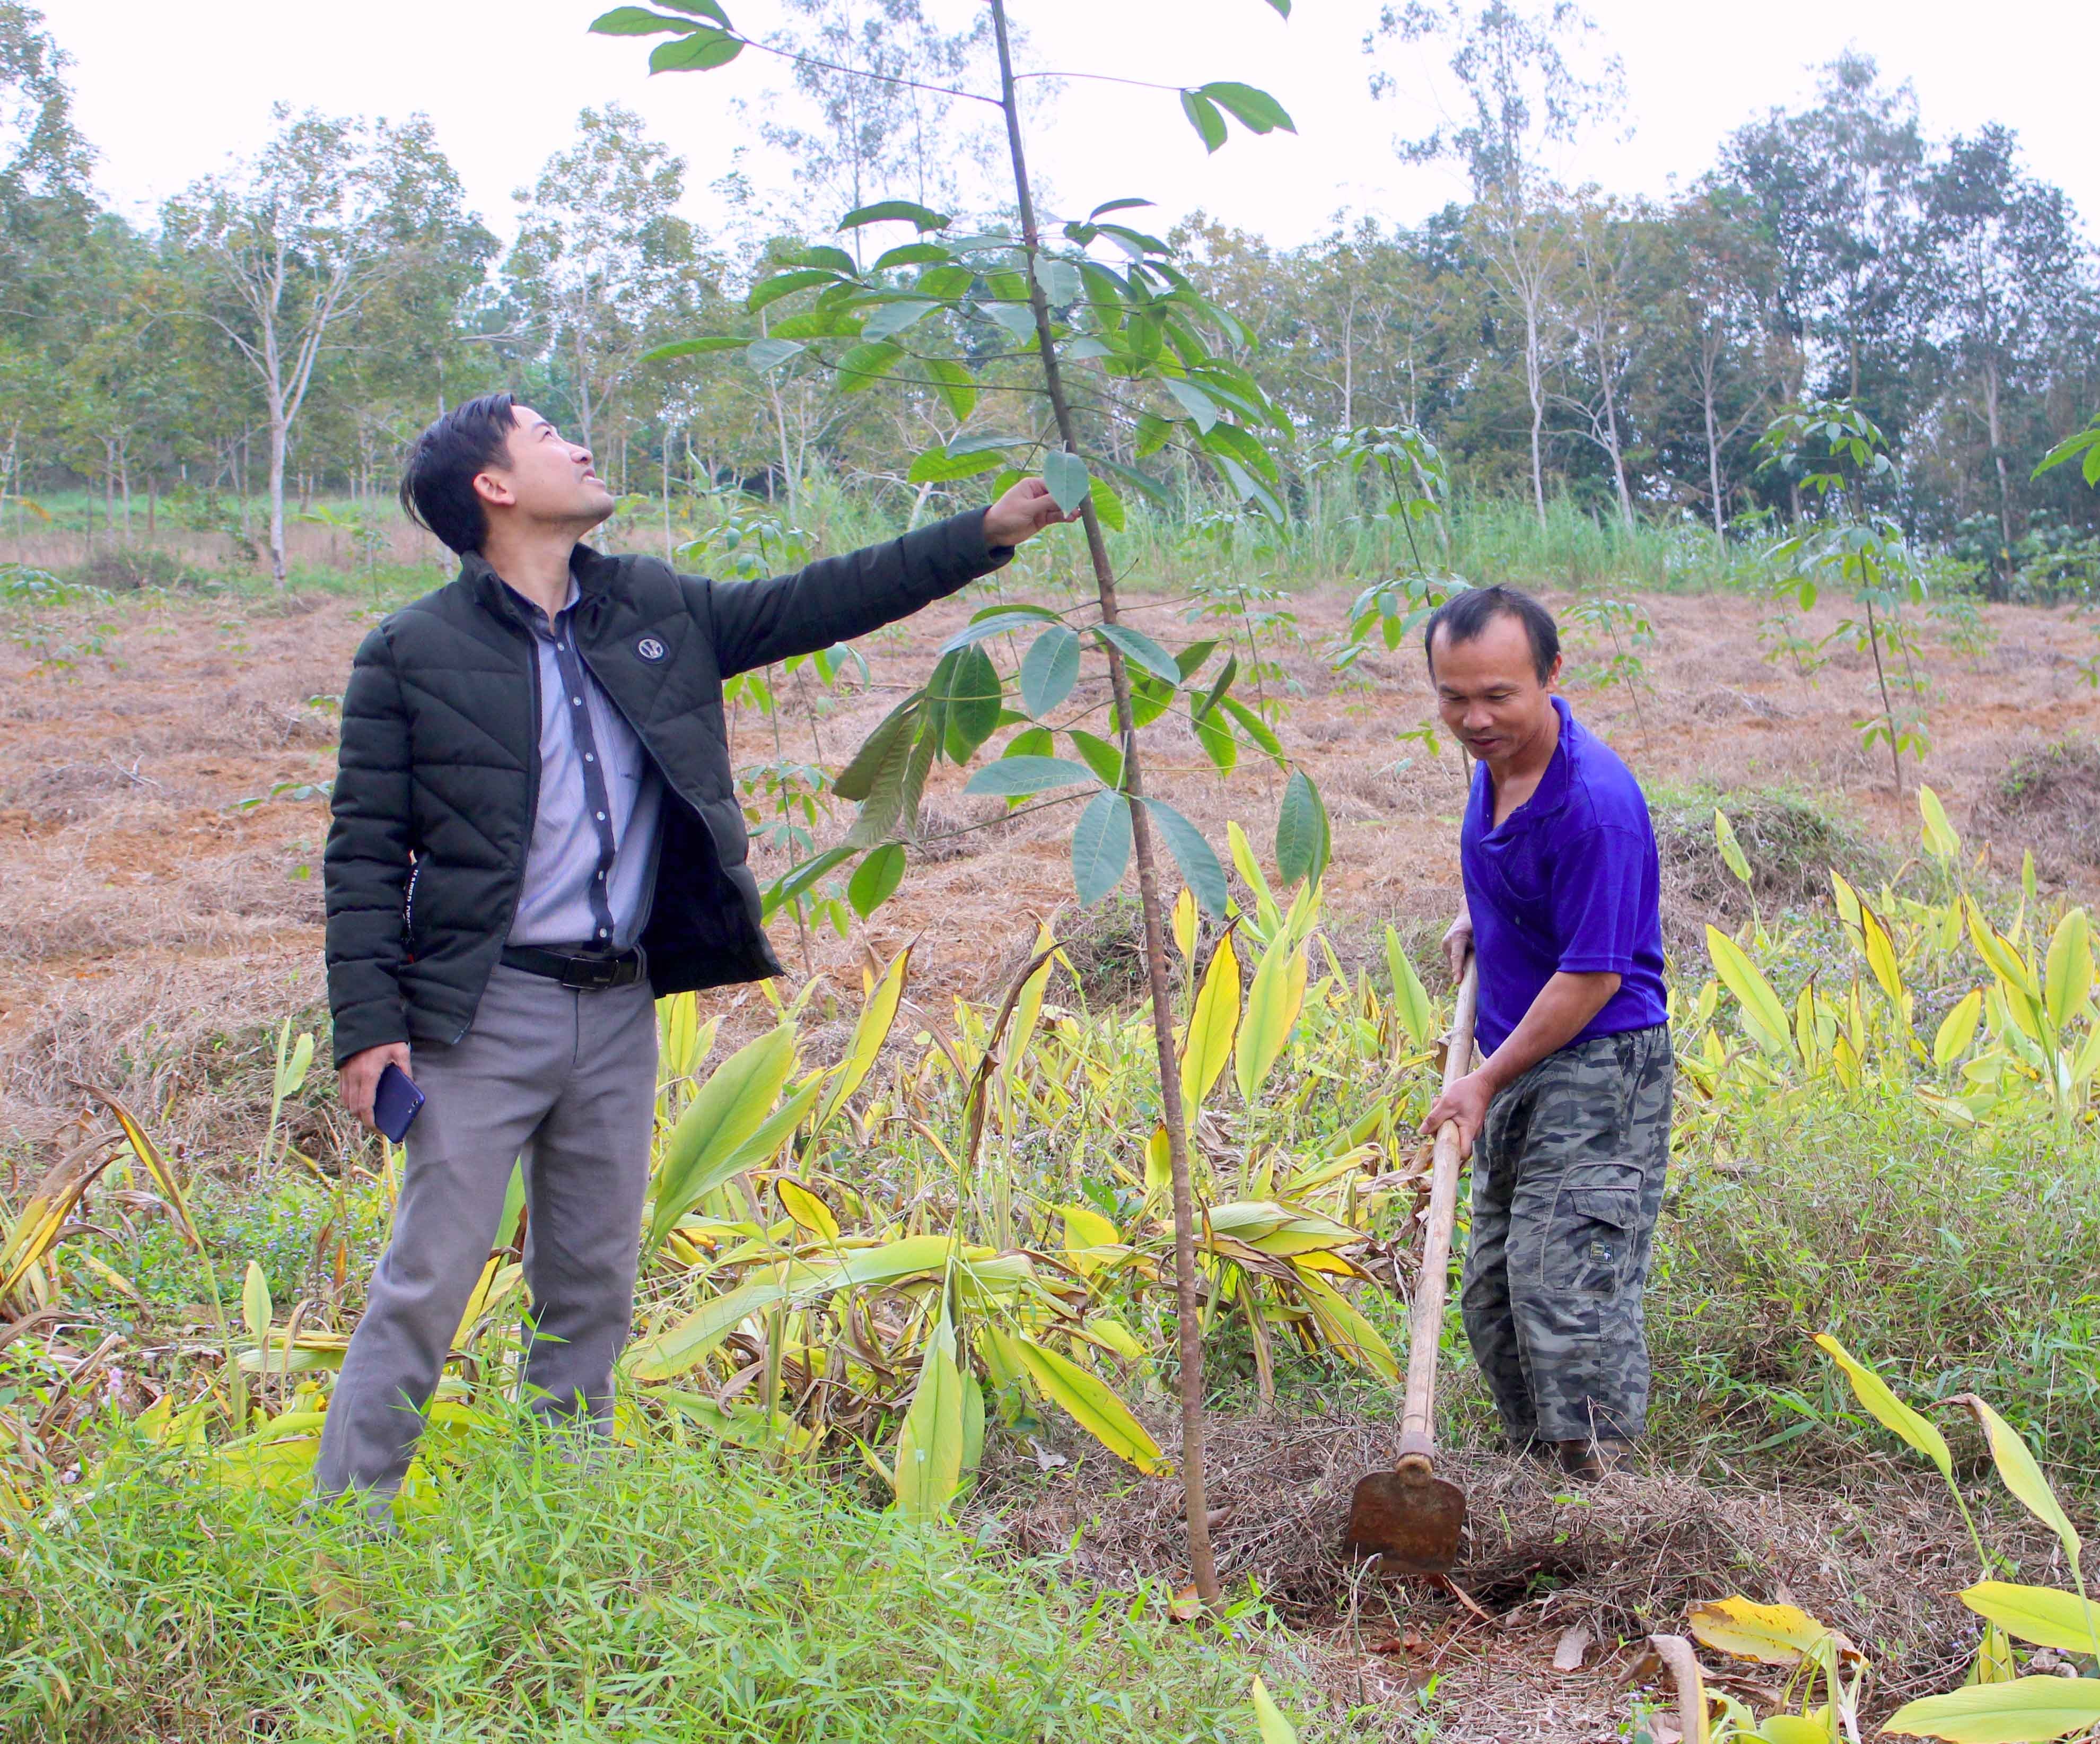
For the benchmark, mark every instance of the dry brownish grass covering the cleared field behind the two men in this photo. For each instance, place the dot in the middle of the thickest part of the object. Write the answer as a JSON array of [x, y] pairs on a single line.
[[154, 930]]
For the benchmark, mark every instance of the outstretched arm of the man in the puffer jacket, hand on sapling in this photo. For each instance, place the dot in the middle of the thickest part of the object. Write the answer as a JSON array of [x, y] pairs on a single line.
[[845, 598]]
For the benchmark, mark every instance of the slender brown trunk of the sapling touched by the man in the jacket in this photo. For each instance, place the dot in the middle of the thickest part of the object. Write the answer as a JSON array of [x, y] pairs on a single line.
[[1196, 1506]]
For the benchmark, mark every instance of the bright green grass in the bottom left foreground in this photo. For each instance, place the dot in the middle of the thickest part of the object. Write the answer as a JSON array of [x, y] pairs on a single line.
[[665, 1594]]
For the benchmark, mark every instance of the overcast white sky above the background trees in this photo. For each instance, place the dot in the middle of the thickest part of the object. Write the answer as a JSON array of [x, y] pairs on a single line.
[[169, 91]]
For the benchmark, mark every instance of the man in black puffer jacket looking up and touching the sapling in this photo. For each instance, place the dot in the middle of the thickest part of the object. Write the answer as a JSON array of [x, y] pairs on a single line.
[[537, 835]]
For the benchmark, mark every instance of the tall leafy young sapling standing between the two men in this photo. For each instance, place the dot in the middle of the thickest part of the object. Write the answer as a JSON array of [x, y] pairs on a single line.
[[1125, 329]]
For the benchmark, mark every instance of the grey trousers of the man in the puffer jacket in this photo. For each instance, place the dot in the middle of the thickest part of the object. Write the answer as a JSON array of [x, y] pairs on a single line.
[[564, 1083]]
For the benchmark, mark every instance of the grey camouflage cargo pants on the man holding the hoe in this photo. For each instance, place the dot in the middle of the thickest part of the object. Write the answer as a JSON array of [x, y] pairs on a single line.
[[1568, 1182]]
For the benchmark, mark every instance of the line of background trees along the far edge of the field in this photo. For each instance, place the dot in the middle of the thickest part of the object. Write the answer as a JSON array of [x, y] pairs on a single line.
[[289, 325]]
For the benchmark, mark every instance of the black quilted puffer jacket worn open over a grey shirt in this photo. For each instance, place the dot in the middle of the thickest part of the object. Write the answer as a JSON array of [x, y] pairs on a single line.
[[440, 766]]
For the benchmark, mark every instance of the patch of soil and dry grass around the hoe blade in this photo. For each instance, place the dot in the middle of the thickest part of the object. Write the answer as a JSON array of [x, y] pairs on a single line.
[[1549, 1573]]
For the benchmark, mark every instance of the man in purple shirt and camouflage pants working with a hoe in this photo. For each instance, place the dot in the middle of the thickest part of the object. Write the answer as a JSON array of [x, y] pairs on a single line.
[[1568, 1115]]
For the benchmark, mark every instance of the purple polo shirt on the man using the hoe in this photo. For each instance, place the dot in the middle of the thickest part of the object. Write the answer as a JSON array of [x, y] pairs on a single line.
[[1568, 881]]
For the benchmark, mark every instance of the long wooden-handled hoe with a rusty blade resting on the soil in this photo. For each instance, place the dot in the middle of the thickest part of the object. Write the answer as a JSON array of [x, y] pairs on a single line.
[[1412, 1518]]
